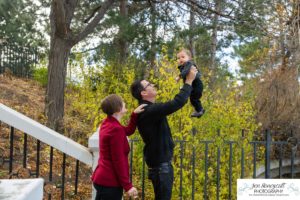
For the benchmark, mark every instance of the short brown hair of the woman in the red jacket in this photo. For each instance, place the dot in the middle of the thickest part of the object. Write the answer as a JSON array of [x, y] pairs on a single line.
[[111, 104]]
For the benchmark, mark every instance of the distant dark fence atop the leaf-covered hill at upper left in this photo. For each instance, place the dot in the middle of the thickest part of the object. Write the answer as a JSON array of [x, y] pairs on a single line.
[[20, 60]]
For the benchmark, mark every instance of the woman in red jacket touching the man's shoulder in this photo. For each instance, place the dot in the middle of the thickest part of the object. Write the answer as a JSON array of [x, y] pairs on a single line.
[[111, 175]]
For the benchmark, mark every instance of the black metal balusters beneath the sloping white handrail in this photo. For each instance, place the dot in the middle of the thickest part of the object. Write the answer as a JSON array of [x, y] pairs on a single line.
[[22, 156]]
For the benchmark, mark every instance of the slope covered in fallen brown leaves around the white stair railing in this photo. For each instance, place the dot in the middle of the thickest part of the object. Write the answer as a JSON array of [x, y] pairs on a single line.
[[27, 97]]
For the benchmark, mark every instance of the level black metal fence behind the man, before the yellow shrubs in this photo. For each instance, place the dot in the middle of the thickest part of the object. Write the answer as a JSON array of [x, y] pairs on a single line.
[[209, 169]]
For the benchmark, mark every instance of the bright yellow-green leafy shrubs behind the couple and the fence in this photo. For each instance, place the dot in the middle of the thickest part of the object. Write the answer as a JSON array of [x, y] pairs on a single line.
[[226, 116]]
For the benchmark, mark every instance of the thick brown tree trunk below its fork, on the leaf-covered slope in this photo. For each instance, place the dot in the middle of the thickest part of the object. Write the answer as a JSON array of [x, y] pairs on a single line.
[[58, 59]]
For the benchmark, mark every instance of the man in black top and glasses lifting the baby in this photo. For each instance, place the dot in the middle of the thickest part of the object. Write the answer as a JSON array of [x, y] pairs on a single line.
[[155, 131]]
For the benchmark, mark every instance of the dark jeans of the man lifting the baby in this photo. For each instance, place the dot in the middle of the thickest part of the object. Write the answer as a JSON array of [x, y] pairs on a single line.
[[162, 180]]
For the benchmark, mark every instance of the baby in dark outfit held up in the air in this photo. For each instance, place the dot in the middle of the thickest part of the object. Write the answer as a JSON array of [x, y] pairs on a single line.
[[185, 63]]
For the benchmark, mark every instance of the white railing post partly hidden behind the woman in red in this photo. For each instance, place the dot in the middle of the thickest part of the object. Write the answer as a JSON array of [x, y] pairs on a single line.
[[94, 148]]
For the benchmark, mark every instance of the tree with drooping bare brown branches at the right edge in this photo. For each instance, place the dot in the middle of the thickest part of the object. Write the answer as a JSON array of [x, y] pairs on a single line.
[[279, 103]]
